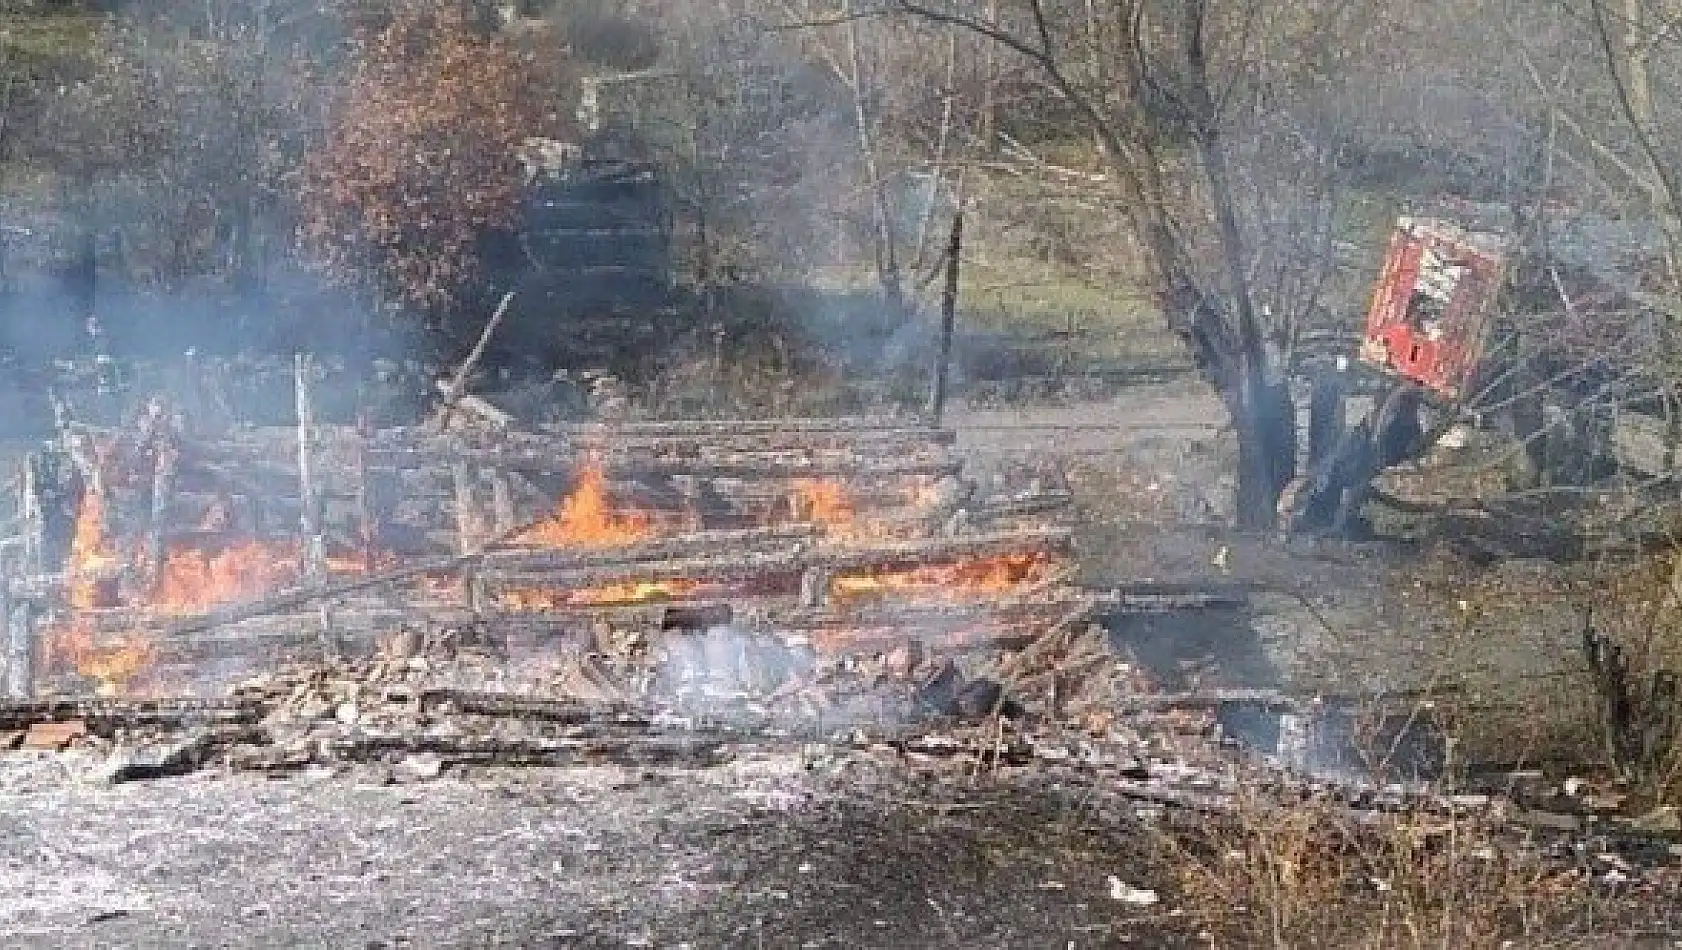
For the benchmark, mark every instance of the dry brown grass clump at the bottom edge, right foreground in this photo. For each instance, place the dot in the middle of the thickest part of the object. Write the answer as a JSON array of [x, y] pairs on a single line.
[[1316, 875]]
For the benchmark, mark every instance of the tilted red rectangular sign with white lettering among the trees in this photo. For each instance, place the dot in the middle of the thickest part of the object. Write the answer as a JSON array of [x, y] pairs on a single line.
[[1432, 303]]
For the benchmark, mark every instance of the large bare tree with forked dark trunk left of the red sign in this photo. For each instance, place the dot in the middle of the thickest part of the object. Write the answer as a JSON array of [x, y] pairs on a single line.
[[1158, 85]]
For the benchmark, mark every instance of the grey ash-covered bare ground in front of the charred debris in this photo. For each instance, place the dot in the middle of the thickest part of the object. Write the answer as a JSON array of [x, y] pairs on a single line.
[[778, 850]]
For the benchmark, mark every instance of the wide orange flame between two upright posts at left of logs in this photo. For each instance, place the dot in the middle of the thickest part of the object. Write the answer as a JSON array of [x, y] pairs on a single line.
[[194, 581]]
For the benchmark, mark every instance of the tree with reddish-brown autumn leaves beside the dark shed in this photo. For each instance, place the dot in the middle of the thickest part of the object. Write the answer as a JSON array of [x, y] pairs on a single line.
[[418, 164]]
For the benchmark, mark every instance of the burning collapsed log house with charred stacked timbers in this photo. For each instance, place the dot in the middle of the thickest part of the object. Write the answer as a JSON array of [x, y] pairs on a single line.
[[151, 561]]
